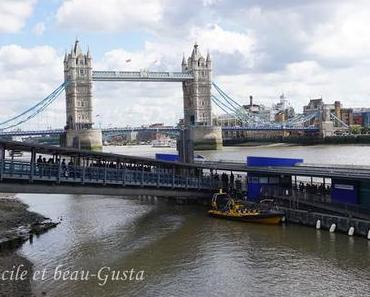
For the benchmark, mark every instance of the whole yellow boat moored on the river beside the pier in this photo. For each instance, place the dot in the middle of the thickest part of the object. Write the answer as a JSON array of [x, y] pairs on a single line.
[[223, 206]]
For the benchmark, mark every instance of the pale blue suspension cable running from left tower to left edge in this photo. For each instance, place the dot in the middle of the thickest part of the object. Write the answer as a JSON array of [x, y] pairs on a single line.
[[34, 110]]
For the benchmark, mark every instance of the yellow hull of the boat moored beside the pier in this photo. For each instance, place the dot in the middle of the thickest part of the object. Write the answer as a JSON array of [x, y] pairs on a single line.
[[267, 218]]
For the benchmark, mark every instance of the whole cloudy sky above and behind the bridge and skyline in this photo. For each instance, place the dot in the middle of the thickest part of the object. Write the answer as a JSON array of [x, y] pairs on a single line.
[[305, 49]]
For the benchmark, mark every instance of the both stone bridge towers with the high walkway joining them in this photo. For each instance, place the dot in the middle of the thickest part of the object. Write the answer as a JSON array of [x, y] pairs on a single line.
[[196, 79]]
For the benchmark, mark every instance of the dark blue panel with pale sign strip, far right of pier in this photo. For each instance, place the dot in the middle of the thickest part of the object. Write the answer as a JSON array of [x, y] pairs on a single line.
[[344, 191]]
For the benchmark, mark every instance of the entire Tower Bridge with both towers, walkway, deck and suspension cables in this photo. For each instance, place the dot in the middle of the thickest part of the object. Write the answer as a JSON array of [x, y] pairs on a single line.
[[196, 78]]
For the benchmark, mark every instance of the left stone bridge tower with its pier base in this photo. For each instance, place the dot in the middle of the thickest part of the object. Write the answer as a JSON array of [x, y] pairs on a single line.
[[79, 132]]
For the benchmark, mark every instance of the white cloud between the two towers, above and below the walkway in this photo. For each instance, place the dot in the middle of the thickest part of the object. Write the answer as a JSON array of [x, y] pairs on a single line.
[[137, 103]]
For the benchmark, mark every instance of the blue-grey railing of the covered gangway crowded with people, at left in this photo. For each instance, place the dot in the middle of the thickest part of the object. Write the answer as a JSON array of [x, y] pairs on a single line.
[[21, 171]]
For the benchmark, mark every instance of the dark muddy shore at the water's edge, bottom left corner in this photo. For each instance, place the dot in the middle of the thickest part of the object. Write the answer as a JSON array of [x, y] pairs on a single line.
[[17, 225]]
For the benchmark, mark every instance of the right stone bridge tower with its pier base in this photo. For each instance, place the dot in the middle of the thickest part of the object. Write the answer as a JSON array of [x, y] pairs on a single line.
[[197, 102]]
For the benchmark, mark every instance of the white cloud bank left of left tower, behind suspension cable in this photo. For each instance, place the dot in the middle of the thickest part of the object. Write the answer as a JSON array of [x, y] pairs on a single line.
[[28, 75]]
